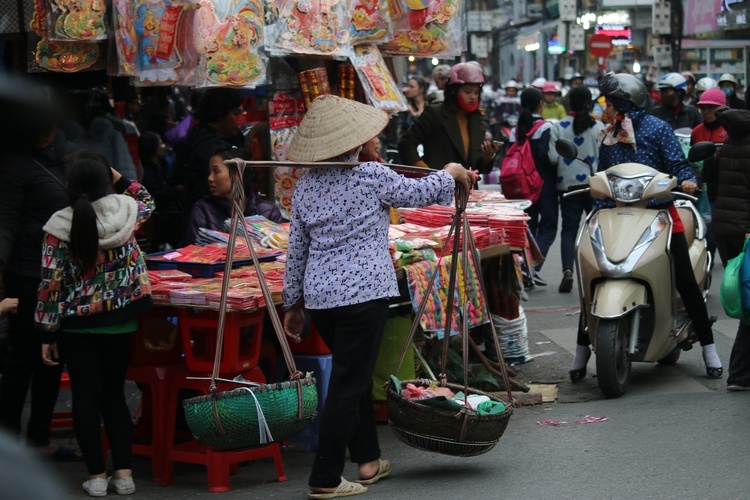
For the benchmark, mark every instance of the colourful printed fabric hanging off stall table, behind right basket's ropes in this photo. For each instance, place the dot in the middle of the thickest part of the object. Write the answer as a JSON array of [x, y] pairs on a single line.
[[434, 317]]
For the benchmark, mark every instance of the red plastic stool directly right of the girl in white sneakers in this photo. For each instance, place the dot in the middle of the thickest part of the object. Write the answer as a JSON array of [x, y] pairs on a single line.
[[148, 440]]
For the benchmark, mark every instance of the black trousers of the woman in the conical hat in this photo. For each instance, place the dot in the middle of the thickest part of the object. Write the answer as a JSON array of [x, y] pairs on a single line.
[[353, 333]]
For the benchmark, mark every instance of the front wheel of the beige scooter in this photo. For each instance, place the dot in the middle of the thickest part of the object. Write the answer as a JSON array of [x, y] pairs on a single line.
[[612, 360]]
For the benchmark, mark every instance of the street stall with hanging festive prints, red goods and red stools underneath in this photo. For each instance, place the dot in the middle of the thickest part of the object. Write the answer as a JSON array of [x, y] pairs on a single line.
[[281, 54]]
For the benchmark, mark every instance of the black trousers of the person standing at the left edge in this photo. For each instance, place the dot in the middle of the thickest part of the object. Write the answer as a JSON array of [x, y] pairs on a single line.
[[23, 367]]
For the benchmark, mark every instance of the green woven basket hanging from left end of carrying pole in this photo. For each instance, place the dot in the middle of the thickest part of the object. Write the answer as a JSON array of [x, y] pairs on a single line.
[[237, 414]]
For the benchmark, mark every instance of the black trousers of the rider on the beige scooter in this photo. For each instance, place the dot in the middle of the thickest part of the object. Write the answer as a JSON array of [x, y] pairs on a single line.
[[688, 289]]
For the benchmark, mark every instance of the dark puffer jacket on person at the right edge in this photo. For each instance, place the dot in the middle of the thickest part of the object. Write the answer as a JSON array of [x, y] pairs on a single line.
[[731, 219]]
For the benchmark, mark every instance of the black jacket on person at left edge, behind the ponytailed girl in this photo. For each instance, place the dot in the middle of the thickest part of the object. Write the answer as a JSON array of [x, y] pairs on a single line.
[[28, 198]]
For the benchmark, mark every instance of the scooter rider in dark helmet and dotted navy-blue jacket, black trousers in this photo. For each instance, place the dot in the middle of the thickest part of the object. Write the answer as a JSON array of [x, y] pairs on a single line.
[[635, 136]]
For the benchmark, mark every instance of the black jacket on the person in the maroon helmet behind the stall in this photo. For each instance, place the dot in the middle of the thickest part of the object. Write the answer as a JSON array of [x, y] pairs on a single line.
[[437, 130]]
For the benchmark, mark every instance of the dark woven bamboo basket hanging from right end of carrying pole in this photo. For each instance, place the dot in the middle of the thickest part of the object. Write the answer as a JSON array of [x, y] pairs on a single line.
[[439, 431]]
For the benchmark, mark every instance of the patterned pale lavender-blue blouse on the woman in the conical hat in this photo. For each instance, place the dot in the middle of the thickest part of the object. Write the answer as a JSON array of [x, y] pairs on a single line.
[[338, 245]]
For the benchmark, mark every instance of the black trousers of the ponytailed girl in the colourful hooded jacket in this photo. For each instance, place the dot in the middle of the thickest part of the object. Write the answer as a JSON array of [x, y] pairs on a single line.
[[97, 365]]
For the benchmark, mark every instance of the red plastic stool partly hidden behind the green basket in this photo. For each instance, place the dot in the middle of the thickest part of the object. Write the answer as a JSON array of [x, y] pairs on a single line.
[[220, 464]]
